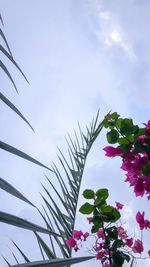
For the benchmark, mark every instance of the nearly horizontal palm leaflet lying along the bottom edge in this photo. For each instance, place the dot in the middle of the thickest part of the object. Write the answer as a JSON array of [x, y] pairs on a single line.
[[55, 263]]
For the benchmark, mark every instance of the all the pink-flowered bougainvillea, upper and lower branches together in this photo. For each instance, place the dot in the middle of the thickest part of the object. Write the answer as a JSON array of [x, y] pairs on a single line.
[[112, 245]]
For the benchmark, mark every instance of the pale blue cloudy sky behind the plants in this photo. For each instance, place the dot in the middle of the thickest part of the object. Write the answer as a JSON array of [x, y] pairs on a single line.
[[79, 56]]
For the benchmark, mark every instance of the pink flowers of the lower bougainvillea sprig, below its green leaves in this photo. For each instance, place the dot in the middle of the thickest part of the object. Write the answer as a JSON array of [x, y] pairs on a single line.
[[103, 250]]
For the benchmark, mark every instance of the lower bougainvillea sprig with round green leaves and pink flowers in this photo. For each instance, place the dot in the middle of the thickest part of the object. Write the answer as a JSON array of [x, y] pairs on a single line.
[[112, 245]]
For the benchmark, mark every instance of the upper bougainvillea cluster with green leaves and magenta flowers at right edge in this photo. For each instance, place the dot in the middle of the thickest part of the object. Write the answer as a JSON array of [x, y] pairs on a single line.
[[133, 147]]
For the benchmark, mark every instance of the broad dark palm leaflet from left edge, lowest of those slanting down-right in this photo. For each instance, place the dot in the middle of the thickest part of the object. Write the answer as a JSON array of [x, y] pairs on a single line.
[[19, 222]]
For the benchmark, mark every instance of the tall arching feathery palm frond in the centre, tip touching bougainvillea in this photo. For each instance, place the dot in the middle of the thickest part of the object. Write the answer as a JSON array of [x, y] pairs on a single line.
[[69, 177]]
